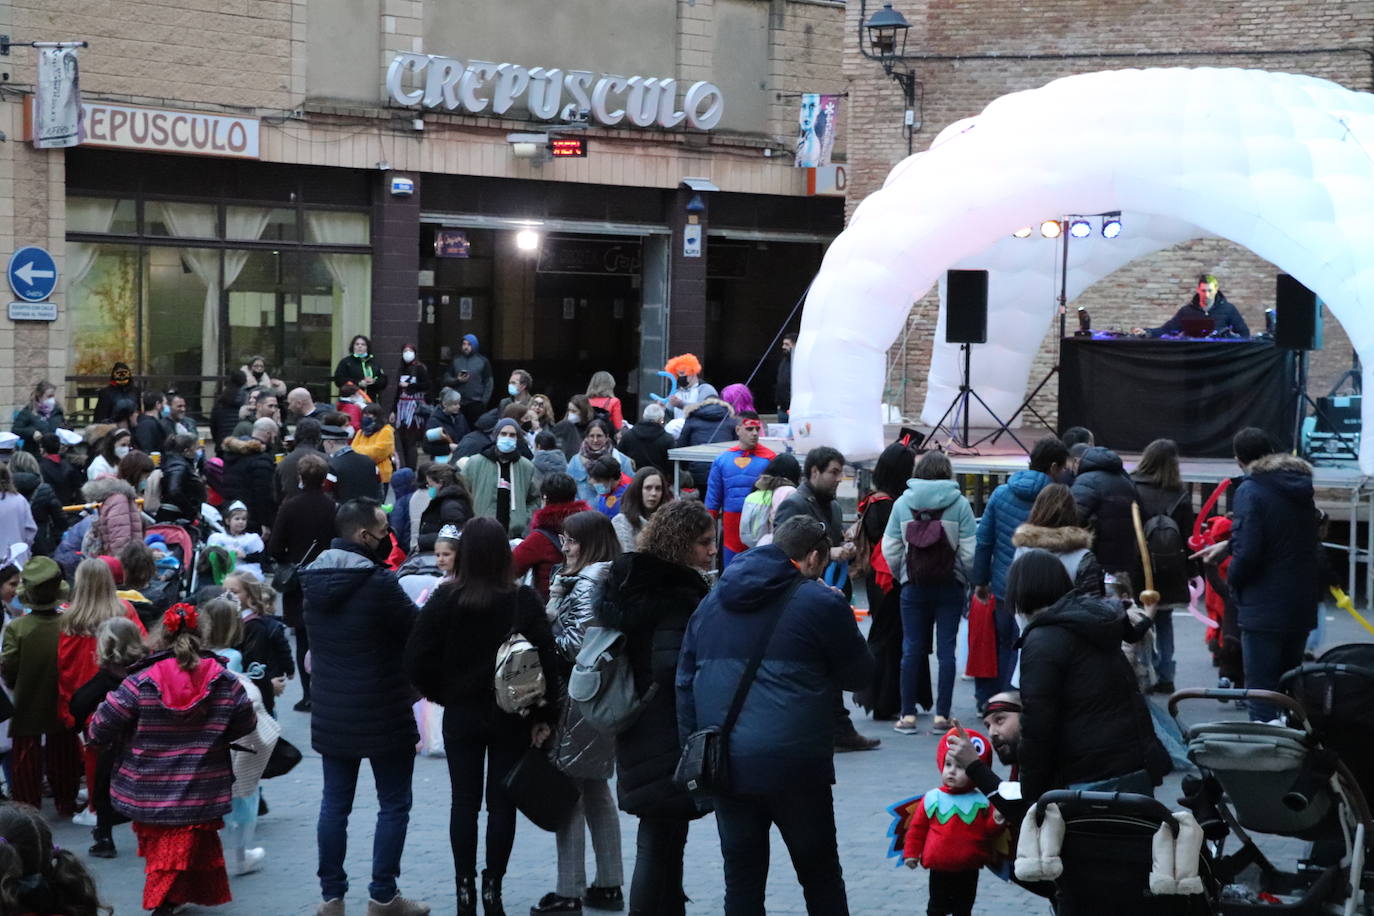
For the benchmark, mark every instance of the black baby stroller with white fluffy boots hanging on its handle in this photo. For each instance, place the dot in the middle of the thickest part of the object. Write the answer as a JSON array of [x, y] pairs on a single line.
[[1118, 854]]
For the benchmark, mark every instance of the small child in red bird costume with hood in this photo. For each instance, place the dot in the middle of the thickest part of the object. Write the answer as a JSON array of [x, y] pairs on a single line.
[[954, 833]]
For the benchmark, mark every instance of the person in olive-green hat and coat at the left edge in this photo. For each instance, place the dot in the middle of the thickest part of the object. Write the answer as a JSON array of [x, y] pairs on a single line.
[[30, 667]]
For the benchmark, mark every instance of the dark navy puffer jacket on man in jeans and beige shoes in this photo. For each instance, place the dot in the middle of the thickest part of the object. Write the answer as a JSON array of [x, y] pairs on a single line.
[[359, 620]]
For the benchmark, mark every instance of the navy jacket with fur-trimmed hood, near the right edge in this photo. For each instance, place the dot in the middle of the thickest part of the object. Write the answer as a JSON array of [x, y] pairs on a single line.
[[1276, 554]]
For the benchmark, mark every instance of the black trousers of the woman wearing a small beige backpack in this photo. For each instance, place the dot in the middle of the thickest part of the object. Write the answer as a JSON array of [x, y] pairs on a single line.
[[472, 737]]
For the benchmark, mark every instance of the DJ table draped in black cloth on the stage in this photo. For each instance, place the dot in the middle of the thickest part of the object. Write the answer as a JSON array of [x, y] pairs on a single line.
[[1197, 393]]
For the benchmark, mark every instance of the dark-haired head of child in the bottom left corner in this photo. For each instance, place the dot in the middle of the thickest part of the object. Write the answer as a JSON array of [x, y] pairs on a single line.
[[38, 877]]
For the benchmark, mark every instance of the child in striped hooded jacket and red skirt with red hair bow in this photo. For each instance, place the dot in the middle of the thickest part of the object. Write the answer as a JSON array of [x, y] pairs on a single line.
[[174, 720]]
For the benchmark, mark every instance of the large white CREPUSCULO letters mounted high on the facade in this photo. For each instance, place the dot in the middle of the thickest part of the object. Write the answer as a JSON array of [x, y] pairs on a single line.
[[550, 93]]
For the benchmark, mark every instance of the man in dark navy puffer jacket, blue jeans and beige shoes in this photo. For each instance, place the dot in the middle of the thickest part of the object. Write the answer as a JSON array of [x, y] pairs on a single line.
[[359, 621]]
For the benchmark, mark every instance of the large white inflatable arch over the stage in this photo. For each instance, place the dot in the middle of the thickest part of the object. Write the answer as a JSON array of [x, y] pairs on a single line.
[[1280, 164]]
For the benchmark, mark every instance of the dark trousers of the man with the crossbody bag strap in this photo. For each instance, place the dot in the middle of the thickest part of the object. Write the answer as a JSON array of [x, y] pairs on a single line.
[[806, 818]]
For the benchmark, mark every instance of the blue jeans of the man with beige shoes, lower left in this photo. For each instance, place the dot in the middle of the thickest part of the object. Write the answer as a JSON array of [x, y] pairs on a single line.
[[392, 775]]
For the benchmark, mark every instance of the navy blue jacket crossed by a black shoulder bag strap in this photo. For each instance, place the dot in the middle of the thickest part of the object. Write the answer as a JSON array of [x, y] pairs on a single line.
[[785, 735]]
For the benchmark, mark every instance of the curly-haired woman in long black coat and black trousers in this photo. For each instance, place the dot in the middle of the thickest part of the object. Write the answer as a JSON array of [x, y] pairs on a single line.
[[651, 597]]
